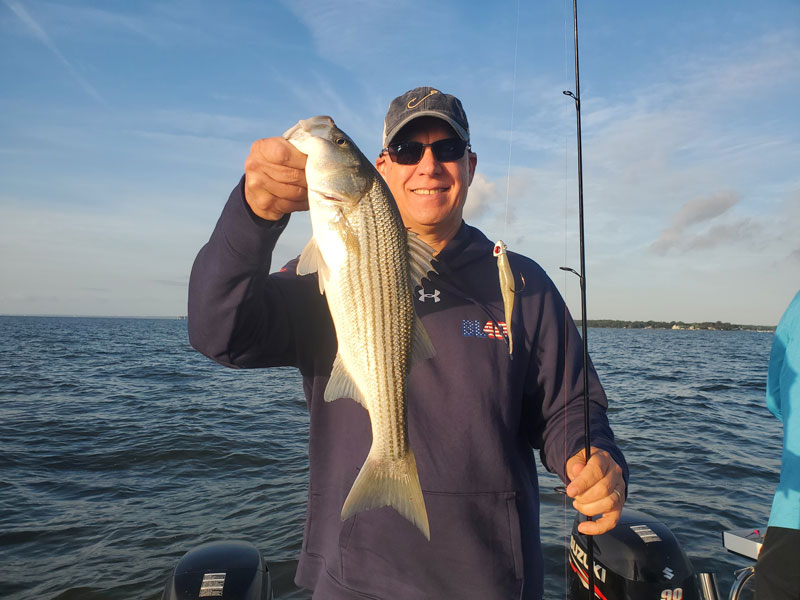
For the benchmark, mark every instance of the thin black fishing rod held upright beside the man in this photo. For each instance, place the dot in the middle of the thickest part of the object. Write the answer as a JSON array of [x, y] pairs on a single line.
[[576, 96]]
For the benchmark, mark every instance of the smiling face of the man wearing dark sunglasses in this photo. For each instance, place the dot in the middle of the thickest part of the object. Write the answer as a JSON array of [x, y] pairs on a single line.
[[430, 194]]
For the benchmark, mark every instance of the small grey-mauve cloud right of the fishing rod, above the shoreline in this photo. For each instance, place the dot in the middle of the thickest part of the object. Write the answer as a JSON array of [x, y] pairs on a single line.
[[693, 213]]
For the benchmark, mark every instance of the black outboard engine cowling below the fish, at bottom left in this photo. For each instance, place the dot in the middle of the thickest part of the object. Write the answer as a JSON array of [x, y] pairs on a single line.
[[227, 570]]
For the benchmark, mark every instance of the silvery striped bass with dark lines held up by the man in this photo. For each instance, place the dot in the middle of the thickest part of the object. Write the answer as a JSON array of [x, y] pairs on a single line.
[[367, 264]]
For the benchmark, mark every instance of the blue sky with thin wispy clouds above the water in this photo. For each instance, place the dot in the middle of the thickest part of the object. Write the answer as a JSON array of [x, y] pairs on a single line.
[[125, 125]]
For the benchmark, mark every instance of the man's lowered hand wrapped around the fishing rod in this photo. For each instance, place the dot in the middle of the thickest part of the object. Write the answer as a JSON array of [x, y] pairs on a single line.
[[597, 488]]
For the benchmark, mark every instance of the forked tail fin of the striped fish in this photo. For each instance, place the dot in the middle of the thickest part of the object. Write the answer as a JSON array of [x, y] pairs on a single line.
[[385, 482]]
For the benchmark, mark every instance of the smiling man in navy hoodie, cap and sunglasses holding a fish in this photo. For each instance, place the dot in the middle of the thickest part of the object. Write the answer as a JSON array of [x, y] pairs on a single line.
[[474, 412]]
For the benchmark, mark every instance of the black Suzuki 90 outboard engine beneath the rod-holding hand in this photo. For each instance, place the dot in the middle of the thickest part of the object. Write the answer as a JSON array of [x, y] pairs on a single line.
[[639, 559]]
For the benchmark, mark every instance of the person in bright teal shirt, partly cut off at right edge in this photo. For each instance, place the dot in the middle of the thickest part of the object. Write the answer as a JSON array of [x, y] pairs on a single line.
[[778, 566]]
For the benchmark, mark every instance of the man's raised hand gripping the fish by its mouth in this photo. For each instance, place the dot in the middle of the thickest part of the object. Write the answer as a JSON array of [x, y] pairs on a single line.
[[275, 179]]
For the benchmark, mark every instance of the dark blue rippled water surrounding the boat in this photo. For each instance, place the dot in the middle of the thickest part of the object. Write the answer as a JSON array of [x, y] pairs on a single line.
[[121, 448]]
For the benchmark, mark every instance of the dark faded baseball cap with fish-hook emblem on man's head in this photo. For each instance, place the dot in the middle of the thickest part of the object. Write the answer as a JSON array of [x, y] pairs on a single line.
[[424, 102]]
